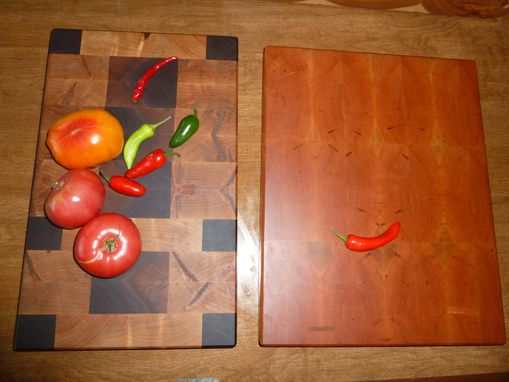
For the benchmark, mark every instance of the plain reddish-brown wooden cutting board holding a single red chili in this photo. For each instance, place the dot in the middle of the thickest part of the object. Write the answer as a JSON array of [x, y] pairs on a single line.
[[355, 142]]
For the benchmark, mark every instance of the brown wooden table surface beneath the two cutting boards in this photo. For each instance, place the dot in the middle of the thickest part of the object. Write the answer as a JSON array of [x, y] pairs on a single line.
[[25, 32]]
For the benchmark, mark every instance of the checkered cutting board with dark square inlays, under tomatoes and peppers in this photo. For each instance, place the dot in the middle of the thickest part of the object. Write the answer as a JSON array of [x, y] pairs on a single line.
[[182, 291]]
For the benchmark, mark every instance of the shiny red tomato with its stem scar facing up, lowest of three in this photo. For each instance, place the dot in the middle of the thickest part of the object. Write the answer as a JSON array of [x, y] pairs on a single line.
[[108, 245]]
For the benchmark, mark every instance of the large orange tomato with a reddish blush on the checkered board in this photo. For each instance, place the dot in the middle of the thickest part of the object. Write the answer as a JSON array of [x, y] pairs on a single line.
[[85, 139]]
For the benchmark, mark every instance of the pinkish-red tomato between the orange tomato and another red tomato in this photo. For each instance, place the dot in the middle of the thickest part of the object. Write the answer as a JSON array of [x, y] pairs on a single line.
[[75, 198]]
